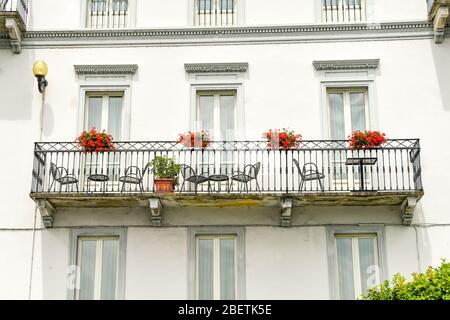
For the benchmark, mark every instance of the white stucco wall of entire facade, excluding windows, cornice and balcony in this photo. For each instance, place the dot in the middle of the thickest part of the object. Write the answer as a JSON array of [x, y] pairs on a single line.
[[281, 89]]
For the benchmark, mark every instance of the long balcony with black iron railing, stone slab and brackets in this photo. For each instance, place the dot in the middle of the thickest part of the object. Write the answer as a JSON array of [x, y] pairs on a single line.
[[65, 176]]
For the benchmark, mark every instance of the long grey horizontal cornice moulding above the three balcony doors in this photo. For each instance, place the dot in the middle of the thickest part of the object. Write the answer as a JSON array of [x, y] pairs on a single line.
[[228, 35]]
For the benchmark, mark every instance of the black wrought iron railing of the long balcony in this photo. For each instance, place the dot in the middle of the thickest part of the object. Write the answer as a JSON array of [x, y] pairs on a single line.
[[239, 166]]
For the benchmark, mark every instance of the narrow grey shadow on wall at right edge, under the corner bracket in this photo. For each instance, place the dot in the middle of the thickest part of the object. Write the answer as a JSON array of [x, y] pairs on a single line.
[[441, 56]]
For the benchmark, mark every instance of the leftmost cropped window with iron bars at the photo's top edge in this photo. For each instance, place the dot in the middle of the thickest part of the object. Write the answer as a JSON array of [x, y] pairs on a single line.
[[107, 14]]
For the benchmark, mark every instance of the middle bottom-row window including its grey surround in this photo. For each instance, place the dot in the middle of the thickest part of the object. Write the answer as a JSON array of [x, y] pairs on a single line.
[[216, 263]]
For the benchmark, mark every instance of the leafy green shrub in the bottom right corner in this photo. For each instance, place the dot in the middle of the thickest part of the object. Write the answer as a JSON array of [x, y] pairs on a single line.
[[431, 285]]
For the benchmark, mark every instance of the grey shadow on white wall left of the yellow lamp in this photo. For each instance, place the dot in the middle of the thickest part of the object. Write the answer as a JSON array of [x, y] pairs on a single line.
[[17, 85]]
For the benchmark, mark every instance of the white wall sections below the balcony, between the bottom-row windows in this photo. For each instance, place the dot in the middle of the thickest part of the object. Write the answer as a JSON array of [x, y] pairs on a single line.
[[280, 263]]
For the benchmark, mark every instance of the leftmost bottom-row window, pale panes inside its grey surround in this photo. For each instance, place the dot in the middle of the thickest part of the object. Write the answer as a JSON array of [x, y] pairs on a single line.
[[98, 264]]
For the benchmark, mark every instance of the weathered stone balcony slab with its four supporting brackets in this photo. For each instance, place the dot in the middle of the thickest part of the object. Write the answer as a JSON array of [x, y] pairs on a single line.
[[49, 203]]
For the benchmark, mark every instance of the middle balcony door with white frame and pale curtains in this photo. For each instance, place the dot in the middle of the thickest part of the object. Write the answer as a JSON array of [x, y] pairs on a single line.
[[216, 113]]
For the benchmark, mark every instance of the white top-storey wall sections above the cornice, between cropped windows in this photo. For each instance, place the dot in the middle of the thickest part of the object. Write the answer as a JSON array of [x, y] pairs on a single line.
[[51, 14]]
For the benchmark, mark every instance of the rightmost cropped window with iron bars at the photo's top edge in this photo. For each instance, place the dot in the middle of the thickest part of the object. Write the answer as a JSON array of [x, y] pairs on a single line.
[[341, 11]]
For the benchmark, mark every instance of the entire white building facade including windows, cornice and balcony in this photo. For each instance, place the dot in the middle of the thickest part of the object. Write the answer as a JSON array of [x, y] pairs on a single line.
[[93, 225]]
